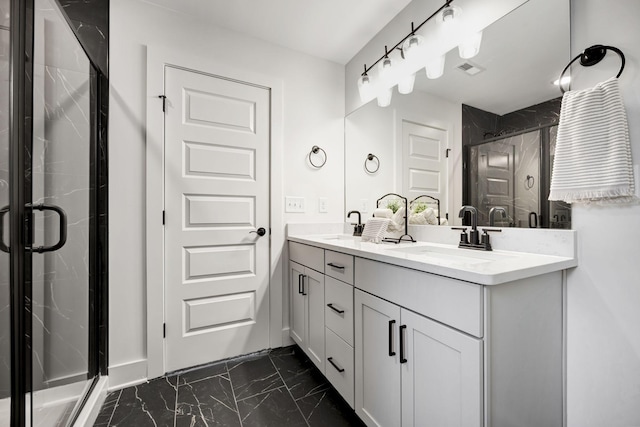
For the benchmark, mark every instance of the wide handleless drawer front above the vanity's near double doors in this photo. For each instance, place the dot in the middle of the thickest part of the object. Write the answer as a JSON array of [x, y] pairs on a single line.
[[452, 302]]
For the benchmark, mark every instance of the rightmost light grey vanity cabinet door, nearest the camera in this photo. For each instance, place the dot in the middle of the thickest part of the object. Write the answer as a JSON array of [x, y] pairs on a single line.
[[442, 375]]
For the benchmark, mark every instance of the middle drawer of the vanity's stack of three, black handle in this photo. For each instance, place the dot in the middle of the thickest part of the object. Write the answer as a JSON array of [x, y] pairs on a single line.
[[338, 298]]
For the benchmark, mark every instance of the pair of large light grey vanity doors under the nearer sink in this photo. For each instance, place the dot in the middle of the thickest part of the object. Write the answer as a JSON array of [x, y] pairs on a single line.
[[412, 371]]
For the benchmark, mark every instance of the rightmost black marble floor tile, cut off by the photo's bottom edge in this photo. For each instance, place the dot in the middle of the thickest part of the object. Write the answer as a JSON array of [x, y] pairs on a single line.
[[328, 409]]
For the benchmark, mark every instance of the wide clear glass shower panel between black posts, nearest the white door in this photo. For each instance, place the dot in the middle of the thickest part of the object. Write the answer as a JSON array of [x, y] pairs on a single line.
[[60, 194]]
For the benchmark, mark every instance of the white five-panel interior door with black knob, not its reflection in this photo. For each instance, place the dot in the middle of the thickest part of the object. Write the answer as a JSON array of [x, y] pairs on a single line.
[[216, 197]]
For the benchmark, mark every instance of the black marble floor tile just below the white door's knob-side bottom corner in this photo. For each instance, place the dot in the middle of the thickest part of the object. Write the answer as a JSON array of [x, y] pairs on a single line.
[[253, 375]]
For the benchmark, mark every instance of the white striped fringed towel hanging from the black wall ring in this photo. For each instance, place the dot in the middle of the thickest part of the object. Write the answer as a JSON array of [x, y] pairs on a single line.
[[592, 160]]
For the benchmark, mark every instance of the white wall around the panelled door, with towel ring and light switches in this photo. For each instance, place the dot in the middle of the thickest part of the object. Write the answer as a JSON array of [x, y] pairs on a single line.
[[313, 111]]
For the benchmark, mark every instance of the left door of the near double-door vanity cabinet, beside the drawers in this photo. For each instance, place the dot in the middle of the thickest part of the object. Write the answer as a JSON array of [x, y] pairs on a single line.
[[377, 361]]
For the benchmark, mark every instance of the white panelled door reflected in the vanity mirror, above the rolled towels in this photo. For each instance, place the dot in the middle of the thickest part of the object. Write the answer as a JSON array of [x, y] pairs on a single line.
[[425, 168]]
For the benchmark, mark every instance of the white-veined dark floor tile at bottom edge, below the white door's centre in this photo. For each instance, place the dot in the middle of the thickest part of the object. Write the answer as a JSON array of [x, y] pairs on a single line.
[[209, 402]]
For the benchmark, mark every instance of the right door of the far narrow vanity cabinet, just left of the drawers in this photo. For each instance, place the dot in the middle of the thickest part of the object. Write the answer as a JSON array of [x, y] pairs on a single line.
[[314, 289]]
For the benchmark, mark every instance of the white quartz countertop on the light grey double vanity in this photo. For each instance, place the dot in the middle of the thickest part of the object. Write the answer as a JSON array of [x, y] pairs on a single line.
[[482, 267]]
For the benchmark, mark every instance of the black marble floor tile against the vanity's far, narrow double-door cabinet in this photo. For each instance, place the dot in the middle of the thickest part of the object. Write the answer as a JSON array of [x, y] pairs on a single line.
[[298, 372]]
